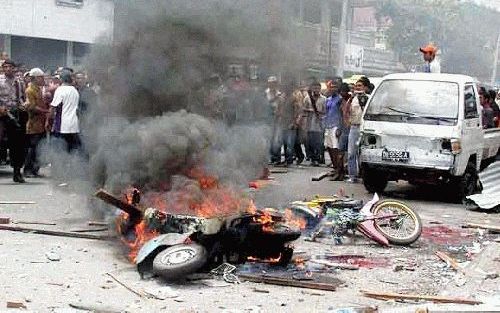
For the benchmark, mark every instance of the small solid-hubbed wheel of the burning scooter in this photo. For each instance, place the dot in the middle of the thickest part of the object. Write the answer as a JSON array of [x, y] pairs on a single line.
[[179, 261]]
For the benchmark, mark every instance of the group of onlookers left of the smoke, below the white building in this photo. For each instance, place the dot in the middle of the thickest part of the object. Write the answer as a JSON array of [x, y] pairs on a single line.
[[37, 106]]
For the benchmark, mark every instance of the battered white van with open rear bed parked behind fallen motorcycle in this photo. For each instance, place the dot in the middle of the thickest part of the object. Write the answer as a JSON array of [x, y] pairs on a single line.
[[427, 129]]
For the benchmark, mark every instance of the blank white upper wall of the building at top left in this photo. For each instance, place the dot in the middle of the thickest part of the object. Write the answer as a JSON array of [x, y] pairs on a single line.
[[45, 19]]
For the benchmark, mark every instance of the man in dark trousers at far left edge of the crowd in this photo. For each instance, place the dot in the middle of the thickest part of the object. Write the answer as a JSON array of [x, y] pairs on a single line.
[[13, 118]]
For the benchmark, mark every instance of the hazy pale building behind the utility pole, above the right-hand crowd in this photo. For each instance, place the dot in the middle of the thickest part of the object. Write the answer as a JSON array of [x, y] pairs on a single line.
[[356, 45]]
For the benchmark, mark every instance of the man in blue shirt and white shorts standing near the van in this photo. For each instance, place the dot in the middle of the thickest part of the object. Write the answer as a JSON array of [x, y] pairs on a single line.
[[333, 128]]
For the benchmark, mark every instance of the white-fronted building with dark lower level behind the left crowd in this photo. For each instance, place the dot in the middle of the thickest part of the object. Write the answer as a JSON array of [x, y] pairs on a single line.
[[52, 33]]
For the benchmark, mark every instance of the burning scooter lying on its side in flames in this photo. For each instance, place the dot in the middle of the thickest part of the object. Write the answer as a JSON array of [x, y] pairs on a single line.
[[183, 244]]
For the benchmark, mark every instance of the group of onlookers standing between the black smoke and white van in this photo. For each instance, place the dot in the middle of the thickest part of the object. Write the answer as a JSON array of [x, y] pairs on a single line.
[[309, 121]]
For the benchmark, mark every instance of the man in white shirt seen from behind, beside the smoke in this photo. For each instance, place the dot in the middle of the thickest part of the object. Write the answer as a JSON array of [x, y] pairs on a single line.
[[63, 118]]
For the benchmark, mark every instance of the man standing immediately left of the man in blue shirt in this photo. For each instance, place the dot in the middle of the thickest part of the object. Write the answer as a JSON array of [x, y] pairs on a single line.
[[314, 111]]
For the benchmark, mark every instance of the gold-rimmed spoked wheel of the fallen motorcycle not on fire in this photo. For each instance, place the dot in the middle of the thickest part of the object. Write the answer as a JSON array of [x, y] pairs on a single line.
[[404, 229]]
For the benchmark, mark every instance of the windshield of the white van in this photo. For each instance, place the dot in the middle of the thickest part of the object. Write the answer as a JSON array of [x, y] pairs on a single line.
[[415, 101]]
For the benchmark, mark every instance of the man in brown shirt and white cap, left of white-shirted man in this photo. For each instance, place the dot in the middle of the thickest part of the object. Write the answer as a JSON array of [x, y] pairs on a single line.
[[37, 113]]
